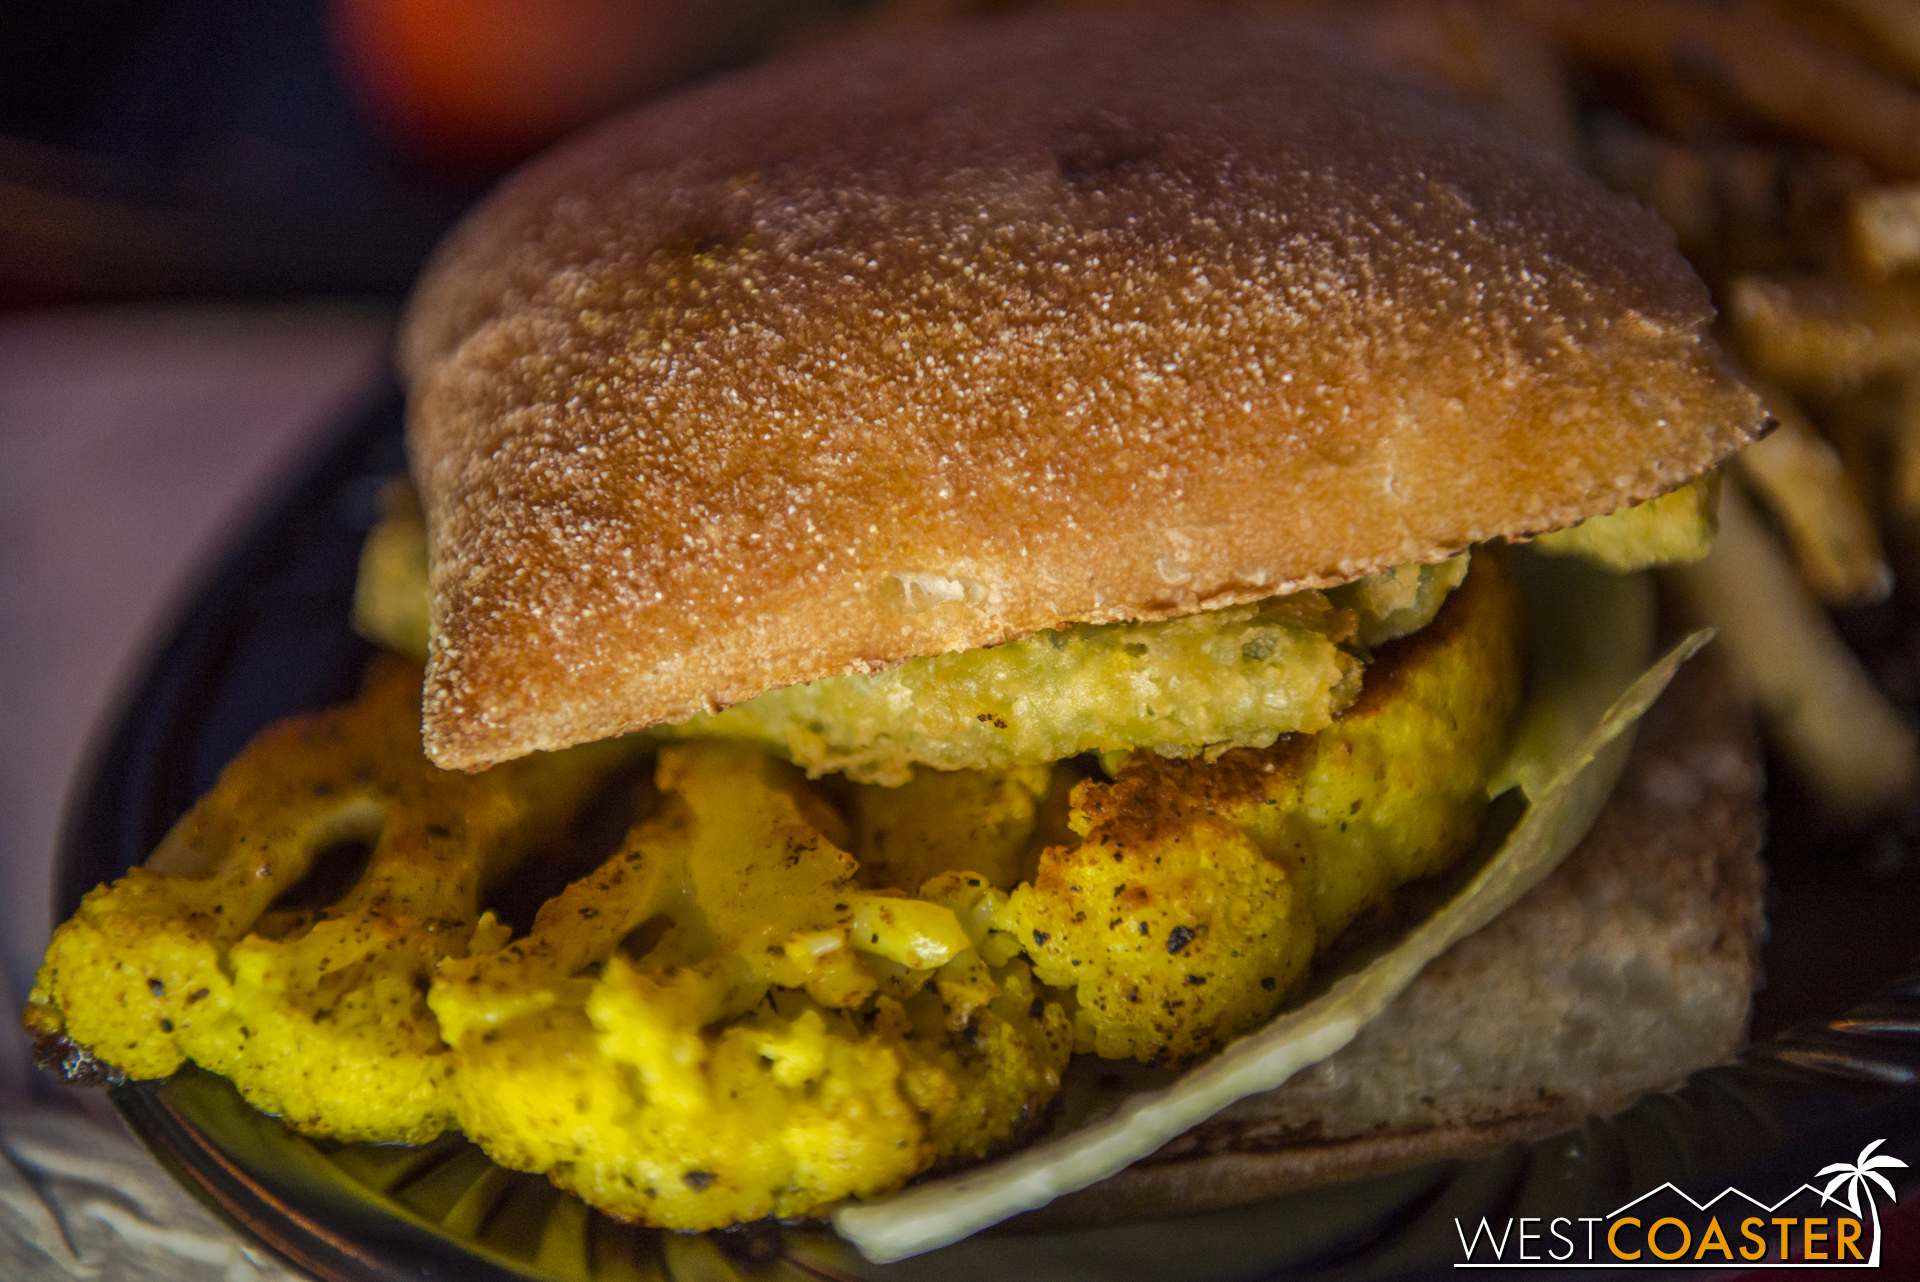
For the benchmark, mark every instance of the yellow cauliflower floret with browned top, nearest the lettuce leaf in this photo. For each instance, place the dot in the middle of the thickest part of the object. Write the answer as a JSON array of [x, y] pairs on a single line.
[[1201, 893]]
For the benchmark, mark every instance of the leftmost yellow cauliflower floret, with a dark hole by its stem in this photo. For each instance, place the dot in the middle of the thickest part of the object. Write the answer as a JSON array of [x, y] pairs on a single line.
[[322, 1020]]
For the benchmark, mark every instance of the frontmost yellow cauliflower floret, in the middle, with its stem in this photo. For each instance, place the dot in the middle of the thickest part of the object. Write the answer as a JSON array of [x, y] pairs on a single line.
[[782, 1041]]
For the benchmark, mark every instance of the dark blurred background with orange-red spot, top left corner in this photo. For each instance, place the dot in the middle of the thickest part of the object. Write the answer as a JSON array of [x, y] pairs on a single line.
[[166, 149]]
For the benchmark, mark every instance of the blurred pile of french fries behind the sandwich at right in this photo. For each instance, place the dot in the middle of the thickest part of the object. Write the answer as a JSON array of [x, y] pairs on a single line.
[[1783, 143]]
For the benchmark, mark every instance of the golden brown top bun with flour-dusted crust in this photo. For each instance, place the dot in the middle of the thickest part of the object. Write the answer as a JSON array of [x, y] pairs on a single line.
[[953, 335]]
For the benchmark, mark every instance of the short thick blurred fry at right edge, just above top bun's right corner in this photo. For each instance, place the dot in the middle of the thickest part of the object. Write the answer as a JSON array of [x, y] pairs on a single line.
[[1825, 333]]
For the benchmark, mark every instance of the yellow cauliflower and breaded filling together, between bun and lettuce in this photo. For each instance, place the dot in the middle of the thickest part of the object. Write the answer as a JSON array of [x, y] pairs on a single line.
[[782, 991]]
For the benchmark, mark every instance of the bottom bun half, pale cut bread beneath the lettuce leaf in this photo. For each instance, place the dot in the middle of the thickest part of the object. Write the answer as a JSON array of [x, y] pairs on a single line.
[[1627, 970]]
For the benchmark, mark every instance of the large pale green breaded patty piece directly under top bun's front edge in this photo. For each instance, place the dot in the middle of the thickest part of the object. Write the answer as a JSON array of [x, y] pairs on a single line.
[[1216, 680]]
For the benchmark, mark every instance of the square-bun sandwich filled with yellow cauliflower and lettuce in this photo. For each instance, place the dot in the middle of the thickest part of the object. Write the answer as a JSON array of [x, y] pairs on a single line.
[[1074, 542]]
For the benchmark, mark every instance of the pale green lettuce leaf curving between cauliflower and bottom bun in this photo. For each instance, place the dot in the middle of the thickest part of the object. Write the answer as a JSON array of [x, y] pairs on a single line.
[[1589, 686]]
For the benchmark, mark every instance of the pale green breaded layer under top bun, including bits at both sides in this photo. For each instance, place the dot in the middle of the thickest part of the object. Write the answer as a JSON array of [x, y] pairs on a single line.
[[1201, 684]]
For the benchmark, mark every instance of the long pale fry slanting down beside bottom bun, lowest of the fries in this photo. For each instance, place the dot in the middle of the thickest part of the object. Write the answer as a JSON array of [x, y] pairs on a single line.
[[1817, 701]]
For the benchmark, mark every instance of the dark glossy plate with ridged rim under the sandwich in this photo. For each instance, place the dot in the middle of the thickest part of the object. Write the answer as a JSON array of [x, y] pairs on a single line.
[[268, 636]]
